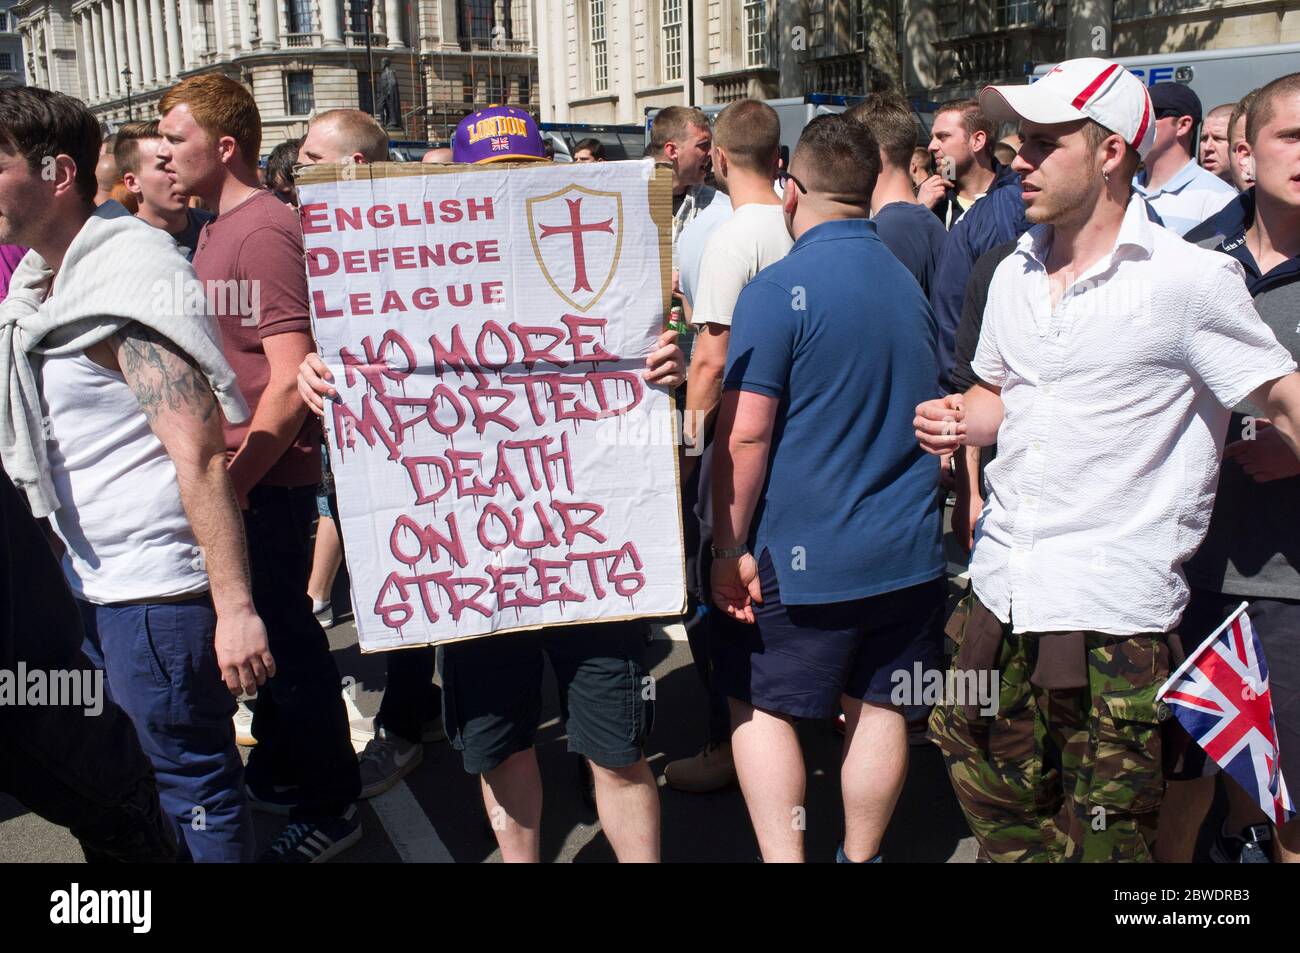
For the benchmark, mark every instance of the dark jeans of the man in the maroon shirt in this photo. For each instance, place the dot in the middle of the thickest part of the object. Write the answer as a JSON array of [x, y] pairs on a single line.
[[300, 721]]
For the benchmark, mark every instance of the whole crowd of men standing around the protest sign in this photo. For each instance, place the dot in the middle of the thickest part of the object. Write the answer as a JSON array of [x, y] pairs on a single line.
[[1080, 335]]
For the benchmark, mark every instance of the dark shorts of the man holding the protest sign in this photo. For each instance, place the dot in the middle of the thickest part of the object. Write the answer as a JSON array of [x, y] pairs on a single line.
[[492, 692]]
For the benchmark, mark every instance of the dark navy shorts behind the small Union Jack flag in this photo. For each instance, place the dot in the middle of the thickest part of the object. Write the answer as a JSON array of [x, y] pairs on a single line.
[[1277, 622]]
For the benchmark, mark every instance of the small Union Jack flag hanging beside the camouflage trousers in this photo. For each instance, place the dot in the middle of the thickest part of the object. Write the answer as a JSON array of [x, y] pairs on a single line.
[[1221, 696]]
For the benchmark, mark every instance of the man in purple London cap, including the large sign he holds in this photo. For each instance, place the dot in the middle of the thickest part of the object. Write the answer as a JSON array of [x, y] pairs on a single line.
[[435, 500]]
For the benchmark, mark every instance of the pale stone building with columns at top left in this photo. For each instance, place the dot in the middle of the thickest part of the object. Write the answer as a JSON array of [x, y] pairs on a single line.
[[298, 58]]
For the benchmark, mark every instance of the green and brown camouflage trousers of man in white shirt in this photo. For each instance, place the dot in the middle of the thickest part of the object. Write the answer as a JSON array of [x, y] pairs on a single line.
[[1061, 776]]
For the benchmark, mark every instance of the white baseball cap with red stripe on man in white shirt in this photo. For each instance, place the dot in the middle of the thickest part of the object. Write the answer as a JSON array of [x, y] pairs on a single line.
[[1085, 89]]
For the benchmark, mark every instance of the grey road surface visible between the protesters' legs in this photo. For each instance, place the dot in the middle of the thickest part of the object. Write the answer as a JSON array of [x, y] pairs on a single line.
[[437, 816]]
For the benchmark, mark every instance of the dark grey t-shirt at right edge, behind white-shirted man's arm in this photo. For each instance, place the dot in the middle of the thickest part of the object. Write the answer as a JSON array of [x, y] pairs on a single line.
[[1253, 548]]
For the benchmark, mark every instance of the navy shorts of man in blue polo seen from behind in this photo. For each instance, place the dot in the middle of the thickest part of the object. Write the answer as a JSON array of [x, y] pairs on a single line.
[[800, 660]]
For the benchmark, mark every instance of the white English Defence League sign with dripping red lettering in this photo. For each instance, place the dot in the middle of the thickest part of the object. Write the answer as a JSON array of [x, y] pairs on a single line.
[[500, 462]]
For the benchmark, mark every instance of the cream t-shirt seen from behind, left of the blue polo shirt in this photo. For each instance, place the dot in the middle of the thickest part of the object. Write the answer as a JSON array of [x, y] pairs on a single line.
[[743, 246]]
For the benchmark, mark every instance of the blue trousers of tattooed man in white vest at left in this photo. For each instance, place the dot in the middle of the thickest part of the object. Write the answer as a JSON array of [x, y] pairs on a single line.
[[162, 669]]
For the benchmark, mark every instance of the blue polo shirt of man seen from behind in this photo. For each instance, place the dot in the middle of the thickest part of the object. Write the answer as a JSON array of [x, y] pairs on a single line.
[[840, 332]]
